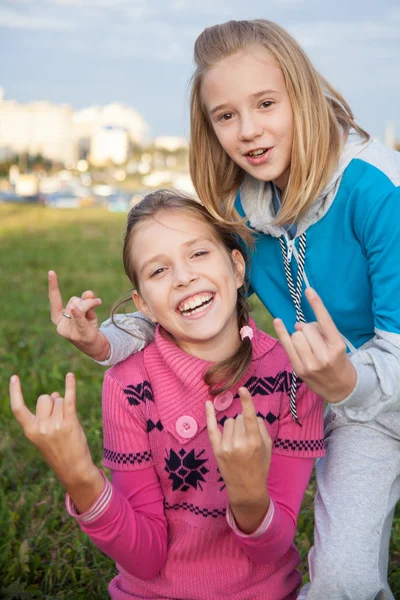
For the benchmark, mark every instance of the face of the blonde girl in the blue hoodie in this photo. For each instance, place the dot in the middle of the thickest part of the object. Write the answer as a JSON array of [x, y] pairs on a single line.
[[248, 105]]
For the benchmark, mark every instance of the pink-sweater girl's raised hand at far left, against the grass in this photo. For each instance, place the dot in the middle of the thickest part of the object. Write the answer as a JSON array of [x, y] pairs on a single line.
[[57, 433]]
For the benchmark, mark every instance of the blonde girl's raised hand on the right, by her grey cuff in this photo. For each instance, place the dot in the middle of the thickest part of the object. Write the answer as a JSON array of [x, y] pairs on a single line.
[[318, 353]]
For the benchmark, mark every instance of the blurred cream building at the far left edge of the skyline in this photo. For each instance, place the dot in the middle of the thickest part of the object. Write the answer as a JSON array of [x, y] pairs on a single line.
[[36, 128]]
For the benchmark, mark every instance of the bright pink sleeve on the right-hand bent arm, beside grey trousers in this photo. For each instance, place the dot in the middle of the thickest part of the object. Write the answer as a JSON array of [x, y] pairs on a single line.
[[287, 481]]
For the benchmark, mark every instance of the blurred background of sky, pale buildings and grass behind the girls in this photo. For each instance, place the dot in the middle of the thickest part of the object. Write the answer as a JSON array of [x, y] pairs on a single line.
[[93, 114]]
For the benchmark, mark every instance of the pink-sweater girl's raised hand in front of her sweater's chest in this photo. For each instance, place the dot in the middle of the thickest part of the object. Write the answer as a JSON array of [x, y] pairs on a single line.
[[243, 454]]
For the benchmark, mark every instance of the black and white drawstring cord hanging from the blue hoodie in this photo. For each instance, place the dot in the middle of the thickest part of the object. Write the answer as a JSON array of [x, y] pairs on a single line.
[[296, 293]]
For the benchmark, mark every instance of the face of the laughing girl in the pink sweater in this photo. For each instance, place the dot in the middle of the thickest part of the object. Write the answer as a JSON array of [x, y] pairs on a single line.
[[188, 283]]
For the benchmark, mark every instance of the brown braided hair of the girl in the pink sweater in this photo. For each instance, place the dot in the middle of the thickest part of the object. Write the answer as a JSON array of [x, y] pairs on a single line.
[[223, 375]]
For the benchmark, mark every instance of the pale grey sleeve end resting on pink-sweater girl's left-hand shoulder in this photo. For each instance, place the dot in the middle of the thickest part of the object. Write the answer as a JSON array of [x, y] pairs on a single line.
[[134, 332]]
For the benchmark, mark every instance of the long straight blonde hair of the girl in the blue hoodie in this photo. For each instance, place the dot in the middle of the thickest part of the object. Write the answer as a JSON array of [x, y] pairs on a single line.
[[322, 120]]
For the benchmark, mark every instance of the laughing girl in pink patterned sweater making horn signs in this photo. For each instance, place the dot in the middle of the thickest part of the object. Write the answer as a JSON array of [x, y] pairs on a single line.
[[209, 461]]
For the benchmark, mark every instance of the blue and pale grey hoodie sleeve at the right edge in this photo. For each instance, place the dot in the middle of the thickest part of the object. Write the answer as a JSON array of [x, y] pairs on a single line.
[[378, 363]]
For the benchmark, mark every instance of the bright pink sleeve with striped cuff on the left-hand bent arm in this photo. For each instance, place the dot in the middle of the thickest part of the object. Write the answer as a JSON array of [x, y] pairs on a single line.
[[127, 522]]
